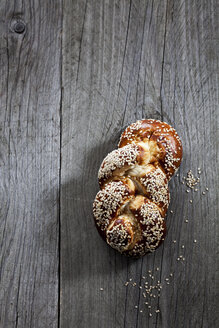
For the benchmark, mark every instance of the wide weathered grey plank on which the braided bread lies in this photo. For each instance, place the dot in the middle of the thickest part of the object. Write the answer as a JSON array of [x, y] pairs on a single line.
[[123, 61]]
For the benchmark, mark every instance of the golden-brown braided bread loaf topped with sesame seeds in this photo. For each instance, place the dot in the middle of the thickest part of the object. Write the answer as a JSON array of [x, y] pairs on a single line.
[[129, 209]]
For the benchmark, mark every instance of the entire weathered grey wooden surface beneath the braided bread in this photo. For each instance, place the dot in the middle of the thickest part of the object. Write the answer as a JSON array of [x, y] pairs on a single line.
[[73, 76]]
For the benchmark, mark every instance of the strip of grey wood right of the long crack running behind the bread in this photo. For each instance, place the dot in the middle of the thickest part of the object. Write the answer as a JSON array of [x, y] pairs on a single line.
[[190, 99]]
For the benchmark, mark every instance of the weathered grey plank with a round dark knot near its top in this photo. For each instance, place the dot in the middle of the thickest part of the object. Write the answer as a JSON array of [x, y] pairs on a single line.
[[30, 152]]
